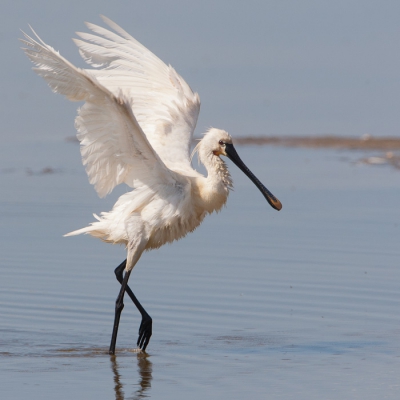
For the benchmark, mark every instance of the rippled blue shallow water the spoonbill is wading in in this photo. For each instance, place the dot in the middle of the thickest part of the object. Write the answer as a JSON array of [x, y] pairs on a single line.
[[300, 304]]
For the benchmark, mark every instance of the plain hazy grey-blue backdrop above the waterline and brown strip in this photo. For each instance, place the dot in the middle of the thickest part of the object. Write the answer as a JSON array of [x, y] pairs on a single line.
[[260, 67]]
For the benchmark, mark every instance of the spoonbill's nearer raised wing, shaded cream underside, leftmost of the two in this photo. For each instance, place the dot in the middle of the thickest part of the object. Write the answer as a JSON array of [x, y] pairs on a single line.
[[113, 146]]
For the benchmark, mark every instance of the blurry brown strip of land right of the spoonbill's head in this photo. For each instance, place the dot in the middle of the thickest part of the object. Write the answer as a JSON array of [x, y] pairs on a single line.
[[336, 142]]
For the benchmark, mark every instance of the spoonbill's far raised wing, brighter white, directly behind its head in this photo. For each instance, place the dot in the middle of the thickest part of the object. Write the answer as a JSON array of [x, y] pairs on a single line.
[[163, 103]]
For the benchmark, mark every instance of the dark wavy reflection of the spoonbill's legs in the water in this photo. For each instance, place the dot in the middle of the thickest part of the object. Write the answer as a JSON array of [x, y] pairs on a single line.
[[145, 374]]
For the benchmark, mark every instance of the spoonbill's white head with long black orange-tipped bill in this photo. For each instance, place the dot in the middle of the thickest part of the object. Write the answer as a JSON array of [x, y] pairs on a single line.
[[217, 142]]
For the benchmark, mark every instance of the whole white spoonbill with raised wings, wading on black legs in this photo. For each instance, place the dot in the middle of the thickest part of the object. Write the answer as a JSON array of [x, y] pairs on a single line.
[[136, 127]]
